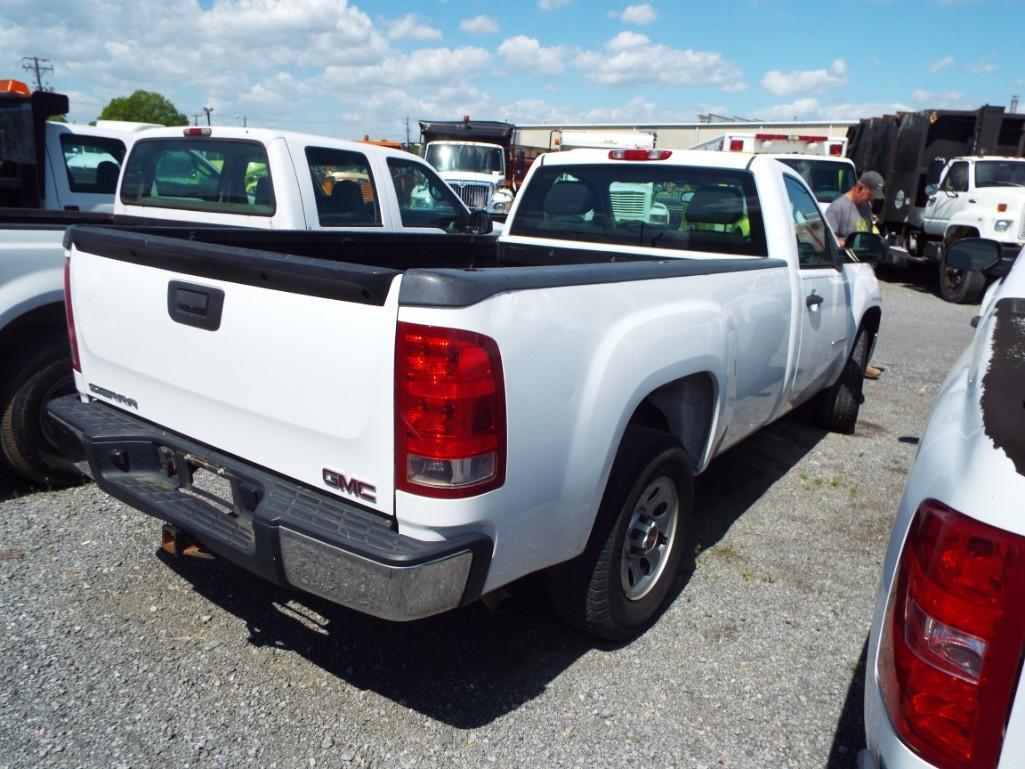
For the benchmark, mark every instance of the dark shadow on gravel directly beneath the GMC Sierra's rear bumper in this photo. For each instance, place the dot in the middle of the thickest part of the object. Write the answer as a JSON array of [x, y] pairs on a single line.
[[466, 669]]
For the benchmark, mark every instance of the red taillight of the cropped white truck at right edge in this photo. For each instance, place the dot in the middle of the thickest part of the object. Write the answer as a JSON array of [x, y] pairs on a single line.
[[952, 644]]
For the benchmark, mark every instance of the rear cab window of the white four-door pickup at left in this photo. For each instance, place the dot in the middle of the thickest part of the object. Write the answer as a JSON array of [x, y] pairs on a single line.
[[206, 175]]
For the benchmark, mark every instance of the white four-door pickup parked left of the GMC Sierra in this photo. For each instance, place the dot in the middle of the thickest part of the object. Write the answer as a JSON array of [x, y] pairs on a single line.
[[189, 177]]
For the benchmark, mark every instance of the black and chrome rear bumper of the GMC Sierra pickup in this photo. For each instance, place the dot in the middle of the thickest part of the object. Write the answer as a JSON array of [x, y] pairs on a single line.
[[285, 533]]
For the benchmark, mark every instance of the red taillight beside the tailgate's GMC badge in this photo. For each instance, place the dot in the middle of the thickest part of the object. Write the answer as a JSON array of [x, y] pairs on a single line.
[[450, 413]]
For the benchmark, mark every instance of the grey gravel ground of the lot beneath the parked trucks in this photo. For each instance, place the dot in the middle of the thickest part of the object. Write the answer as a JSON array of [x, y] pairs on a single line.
[[114, 657]]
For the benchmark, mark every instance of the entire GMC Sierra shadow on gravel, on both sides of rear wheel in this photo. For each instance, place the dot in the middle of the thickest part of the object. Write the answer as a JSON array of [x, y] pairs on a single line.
[[471, 667]]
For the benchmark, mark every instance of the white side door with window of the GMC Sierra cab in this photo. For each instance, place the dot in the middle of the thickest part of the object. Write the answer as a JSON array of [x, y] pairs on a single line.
[[824, 302]]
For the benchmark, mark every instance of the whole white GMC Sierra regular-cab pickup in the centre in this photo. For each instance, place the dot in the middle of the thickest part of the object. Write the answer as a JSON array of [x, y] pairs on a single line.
[[403, 426]]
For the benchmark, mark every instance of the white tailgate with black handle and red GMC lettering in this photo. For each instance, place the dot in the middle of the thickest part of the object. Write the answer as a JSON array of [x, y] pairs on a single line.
[[297, 377]]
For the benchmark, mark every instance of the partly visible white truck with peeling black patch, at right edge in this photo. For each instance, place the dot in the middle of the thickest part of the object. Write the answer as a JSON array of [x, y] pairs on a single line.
[[944, 675]]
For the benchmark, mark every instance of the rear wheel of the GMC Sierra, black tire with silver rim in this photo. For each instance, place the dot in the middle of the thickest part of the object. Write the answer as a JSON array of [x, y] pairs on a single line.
[[619, 585]]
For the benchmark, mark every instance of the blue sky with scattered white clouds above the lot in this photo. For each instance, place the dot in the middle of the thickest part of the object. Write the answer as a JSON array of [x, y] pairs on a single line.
[[346, 69]]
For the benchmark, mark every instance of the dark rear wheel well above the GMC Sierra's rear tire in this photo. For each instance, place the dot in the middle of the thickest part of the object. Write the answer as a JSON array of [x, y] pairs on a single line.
[[684, 410]]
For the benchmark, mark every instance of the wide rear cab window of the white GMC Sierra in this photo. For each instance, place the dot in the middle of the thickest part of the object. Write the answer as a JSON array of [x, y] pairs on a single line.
[[653, 206]]
